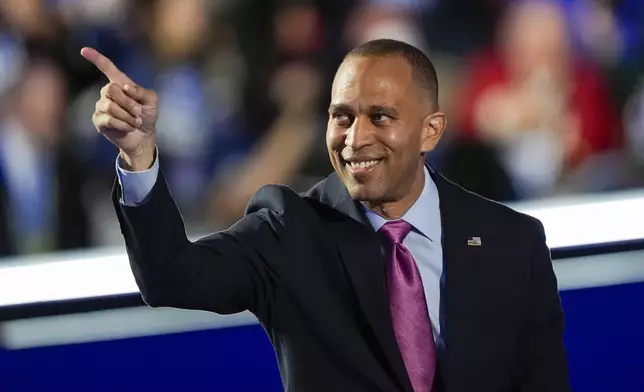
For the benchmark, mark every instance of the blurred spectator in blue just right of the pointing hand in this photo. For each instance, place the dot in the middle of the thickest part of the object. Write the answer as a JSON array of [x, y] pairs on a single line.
[[196, 76]]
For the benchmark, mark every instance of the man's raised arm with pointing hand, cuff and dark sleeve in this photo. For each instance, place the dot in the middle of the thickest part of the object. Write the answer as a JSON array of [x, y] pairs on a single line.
[[226, 272]]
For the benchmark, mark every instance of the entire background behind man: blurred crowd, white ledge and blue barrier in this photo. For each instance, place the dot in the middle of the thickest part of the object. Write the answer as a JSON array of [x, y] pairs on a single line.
[[545, 101]]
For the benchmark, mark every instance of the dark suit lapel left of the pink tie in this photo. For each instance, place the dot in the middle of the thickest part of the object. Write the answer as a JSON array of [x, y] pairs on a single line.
[[364, 261]]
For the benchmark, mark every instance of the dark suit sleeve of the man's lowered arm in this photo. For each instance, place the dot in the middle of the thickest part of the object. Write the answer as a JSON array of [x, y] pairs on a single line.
[[547, 363]]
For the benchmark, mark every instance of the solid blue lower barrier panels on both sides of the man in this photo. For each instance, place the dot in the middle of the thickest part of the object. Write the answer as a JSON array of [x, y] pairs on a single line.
[[604, 337]]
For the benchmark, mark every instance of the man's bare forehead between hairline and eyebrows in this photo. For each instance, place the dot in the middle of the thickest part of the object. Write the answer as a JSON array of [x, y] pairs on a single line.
[[367, 80]]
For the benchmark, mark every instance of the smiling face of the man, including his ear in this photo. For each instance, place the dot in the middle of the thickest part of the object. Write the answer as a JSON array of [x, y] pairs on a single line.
[[379, 126]]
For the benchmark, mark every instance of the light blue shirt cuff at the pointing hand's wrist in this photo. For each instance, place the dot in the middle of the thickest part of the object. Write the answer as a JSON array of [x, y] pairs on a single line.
[[136, 186]]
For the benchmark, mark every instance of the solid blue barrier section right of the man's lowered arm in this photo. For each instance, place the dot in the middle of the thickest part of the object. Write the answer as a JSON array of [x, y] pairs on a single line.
[[605, 338]]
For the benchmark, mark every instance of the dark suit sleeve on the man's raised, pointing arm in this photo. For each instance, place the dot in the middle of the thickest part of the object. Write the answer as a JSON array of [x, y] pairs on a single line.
[[226, 272]]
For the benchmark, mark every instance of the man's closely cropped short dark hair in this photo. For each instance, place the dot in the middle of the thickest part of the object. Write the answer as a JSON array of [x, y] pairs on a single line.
[[423, 70]]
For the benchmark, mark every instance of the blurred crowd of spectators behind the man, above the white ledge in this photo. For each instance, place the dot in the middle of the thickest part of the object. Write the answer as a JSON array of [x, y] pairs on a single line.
[[544, 99]]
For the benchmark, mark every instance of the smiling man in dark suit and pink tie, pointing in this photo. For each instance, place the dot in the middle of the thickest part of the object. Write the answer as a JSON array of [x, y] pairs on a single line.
[[383, 277]]
